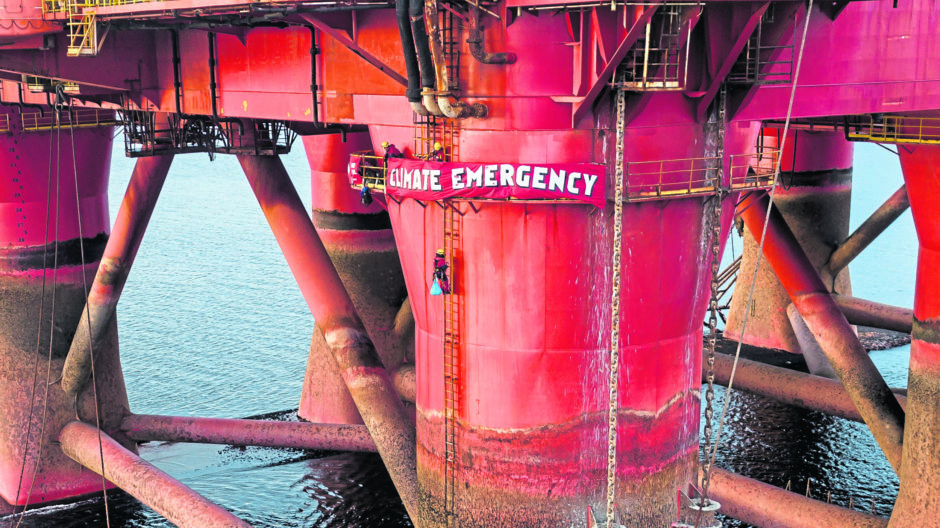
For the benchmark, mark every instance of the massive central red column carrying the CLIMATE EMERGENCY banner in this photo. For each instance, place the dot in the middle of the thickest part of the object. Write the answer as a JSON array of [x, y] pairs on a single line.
[[532, 289]]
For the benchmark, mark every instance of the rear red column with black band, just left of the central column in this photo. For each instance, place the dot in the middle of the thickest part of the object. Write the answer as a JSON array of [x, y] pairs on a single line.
[[361, 245]]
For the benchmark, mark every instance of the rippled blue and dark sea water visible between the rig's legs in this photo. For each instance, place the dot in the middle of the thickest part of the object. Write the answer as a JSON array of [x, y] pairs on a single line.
[[212, 324]]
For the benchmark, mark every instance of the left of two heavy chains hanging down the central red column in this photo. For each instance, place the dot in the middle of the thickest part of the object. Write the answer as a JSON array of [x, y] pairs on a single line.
[[615, 316]]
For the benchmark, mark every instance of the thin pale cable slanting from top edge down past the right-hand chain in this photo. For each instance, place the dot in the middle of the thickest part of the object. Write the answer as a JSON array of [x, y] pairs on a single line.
[[760, 250]]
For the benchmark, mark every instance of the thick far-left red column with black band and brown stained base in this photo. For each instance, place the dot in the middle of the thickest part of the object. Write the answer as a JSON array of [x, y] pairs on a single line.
[[29, 253]]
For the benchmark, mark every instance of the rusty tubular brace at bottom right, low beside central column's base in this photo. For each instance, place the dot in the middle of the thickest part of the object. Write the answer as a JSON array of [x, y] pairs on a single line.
[[761, 504]]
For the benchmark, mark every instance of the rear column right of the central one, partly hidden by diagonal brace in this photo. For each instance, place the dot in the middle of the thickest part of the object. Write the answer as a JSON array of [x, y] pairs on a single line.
[[814, 198]]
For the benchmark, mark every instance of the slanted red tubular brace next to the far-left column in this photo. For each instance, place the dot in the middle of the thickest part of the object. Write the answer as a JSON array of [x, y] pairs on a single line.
[[105, 292]]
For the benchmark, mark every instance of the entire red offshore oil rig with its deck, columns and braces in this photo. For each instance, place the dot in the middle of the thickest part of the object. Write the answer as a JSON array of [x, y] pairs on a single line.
[[519, 209]]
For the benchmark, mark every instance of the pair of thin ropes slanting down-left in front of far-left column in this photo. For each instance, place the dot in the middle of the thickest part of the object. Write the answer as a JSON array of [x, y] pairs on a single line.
[[42, 301]]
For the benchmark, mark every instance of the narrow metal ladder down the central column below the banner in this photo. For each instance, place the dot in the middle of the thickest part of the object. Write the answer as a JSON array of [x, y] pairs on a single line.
[[452, 360]]
